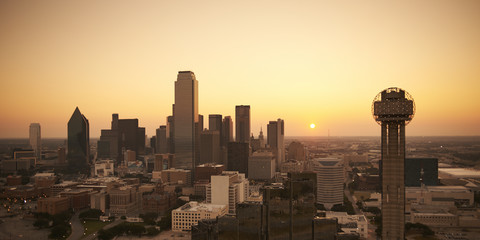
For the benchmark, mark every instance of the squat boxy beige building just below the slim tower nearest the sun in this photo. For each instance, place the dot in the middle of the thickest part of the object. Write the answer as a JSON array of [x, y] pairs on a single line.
[[261, 165]]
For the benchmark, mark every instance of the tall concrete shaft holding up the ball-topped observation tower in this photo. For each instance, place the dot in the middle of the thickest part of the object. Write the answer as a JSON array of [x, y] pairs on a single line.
[[393, 180]]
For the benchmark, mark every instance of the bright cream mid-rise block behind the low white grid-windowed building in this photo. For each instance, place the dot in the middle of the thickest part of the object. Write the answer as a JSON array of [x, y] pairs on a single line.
[[229, 188]]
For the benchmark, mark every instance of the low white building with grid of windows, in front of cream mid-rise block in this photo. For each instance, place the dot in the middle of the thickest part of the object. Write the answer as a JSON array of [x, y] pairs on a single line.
[[188, 215]]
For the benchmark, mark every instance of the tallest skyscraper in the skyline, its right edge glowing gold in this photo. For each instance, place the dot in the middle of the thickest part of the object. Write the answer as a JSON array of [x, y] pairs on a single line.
[[186, 119]]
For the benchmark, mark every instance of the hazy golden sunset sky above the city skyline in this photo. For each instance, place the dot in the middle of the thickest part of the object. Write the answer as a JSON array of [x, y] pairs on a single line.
[[306, 62]]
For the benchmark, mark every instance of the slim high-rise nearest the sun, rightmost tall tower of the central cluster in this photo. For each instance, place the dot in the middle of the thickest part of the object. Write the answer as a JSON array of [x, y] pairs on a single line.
[[275, 136]]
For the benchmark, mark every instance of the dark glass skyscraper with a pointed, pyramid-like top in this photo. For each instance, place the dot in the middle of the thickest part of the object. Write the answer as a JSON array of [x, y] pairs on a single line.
[[78, 141]]
